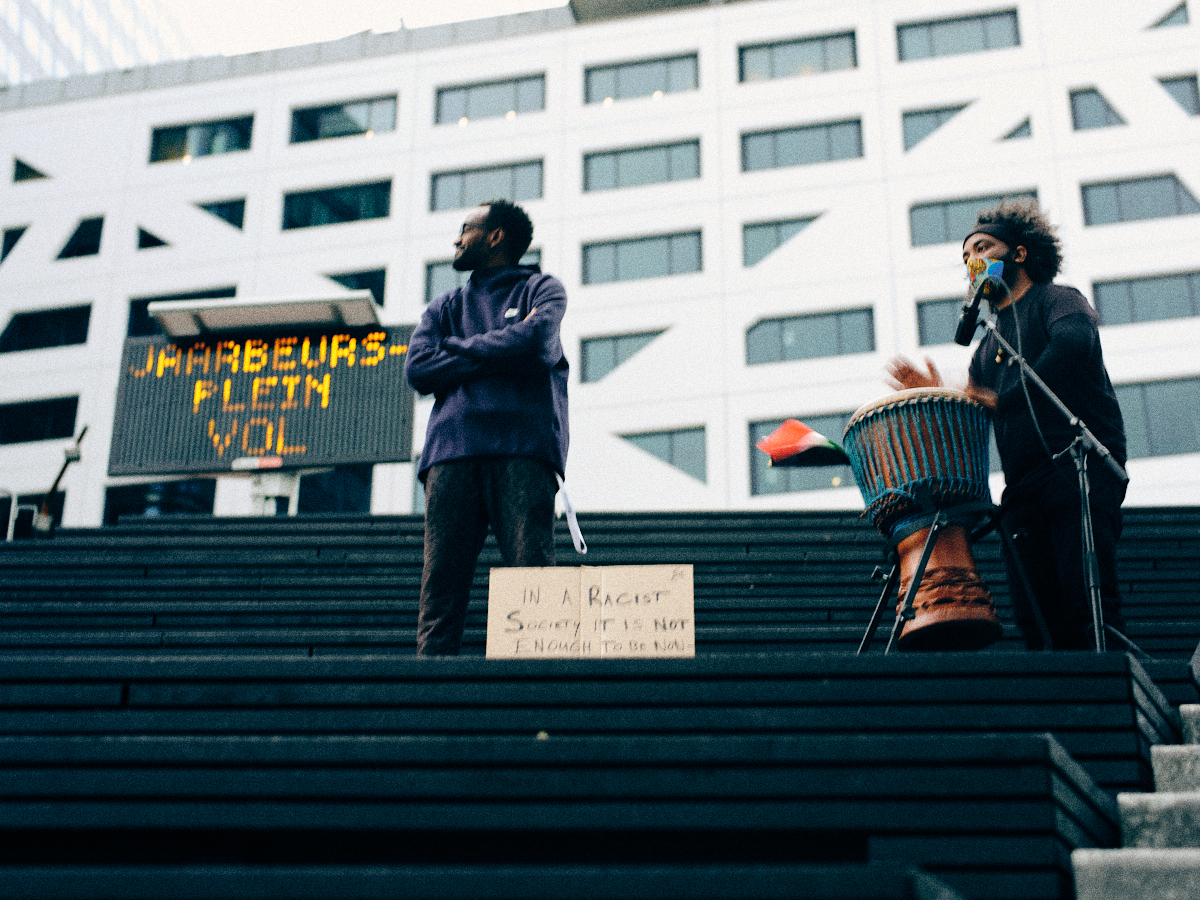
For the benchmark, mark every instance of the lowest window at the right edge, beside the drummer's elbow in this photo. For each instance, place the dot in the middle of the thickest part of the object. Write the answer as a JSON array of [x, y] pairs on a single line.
[[1160, 417]]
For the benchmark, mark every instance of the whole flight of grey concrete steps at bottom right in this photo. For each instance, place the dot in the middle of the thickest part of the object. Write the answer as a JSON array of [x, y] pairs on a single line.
[[1161, 831]]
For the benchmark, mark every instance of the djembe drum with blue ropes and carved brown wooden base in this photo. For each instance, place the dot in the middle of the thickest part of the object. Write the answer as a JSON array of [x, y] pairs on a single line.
[[914, 454]]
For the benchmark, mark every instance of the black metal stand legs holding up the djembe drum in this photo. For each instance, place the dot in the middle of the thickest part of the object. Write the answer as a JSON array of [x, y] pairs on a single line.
[[935, 520]]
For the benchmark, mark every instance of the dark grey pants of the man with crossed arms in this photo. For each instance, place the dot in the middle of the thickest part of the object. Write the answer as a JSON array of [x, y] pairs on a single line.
[[463, 497]]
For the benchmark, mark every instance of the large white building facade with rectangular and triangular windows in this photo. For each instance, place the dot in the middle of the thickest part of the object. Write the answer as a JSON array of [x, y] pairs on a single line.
[[753, 207]]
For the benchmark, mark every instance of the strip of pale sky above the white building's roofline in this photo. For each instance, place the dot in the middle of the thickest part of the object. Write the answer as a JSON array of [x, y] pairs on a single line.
[[232, 27]]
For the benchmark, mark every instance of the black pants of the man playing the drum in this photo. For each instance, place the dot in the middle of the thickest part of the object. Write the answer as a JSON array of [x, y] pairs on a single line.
[[1043, 517]]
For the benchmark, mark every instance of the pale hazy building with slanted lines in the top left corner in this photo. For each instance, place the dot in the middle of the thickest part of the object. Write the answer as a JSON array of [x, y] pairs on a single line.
[[55, 39]]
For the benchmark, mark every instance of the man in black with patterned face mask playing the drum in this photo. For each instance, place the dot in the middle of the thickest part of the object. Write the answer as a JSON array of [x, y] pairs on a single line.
[[1057, 331]]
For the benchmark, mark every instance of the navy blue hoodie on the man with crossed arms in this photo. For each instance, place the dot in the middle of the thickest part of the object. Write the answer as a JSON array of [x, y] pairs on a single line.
[[497, 374]]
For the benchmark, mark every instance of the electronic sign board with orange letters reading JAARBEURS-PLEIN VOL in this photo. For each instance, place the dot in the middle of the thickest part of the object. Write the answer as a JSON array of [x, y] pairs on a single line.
[[263, 400]]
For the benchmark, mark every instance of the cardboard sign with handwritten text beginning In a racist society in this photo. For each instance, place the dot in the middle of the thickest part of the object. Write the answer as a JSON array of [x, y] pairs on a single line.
[[616, 611]]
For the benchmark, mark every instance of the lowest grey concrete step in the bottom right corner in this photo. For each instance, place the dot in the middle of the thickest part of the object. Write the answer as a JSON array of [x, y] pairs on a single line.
[[1137, 874]]
